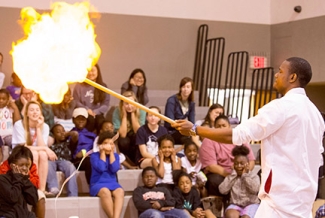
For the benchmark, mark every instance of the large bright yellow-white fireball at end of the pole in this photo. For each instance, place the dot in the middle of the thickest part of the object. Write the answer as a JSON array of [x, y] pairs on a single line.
[[57, 49]]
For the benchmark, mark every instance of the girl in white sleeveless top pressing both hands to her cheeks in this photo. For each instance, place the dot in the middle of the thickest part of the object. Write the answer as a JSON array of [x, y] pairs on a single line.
[[166, 162]]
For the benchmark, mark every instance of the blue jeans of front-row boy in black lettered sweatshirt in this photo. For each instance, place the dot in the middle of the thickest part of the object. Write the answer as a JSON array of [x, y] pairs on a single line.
[[173, 213]]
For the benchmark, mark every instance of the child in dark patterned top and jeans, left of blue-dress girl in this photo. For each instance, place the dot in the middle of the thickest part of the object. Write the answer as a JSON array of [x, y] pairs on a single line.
[[61, 149]]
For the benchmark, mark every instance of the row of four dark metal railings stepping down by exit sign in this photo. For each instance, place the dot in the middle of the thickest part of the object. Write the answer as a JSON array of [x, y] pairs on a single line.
[[208, 77]]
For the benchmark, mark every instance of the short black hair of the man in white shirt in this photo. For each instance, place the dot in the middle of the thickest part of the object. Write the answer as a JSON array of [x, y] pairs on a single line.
[[302, 68]]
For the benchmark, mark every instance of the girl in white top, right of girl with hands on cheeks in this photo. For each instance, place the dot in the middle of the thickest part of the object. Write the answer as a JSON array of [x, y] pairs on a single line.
[[191, 164]]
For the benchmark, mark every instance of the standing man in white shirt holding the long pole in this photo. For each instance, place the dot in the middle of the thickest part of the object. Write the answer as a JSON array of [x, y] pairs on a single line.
[[291, 130]]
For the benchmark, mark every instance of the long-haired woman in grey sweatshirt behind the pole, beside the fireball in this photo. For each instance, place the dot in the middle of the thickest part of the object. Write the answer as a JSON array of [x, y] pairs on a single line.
[[94, 100]]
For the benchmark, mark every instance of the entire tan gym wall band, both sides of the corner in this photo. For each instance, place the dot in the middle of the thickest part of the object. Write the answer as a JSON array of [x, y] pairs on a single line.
[[165, 47]]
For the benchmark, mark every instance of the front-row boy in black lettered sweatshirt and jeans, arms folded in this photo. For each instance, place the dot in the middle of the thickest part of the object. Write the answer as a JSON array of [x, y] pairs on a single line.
[[153, 201]]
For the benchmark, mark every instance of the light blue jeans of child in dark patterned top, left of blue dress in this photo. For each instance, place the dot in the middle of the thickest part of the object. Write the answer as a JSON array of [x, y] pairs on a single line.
[[67, 168]]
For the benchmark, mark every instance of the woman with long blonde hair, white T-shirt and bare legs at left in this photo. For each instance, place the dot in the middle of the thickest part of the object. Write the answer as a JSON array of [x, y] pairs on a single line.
[[33, 133]]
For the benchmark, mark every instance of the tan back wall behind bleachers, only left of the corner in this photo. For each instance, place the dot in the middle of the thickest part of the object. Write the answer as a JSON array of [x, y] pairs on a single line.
[[163, 47]]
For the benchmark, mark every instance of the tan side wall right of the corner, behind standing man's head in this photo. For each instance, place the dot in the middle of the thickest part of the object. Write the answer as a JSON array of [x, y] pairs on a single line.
[[306, 39]]
